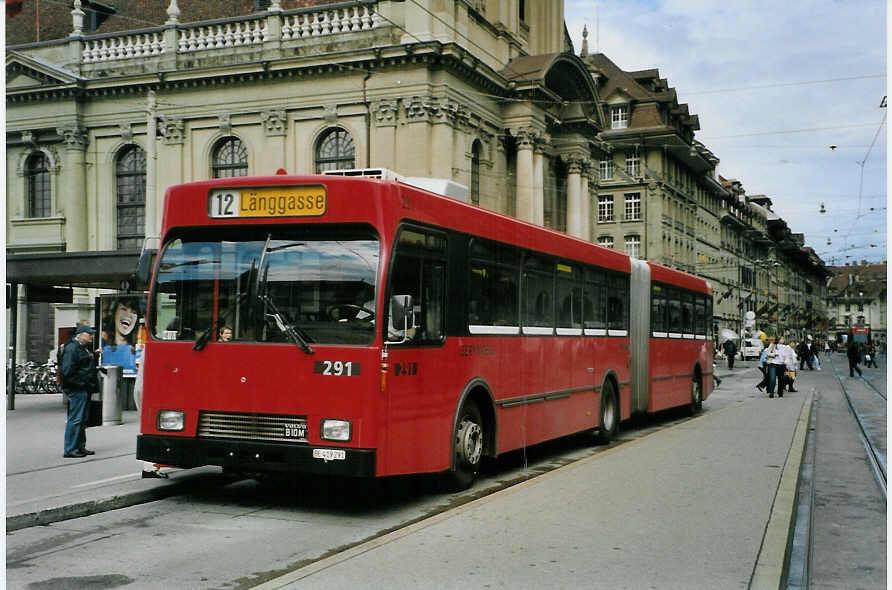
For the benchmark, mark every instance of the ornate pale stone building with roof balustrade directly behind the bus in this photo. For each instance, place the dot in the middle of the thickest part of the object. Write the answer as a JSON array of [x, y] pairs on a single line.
[[103, 116]]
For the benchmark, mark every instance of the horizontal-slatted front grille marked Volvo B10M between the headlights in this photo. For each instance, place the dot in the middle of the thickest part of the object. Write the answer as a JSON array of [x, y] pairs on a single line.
[[263, 427]]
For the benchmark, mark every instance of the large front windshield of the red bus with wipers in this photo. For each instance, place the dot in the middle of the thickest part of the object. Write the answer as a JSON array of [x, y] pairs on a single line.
[[264, 284]]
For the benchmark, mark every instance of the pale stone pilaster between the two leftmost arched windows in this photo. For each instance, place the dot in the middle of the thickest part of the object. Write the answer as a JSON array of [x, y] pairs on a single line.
[[73, 187]]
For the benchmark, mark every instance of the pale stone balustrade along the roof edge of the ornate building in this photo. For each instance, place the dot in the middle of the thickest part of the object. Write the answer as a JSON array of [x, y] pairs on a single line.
[[190, 38]]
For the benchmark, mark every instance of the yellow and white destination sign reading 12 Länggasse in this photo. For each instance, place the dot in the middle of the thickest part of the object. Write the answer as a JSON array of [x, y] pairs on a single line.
[[280, 201]]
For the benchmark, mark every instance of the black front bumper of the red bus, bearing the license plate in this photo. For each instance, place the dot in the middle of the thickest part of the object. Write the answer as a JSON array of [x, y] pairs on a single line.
[[249, 456]]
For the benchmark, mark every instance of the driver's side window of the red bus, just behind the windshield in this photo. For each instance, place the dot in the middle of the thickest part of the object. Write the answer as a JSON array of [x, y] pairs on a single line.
[[419, 270]]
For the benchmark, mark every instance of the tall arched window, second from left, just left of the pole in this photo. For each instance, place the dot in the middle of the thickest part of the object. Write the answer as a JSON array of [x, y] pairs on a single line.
[[130, 181]]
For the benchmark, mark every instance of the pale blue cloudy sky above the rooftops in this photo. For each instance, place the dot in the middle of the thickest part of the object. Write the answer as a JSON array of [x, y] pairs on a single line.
[[775, 85]]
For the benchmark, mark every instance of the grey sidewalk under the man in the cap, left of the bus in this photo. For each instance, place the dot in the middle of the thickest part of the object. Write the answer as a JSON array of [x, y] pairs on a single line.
[[43, 487]]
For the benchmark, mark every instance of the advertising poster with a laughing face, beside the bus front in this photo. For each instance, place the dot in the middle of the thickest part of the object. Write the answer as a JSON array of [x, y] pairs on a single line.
[[121, 331]]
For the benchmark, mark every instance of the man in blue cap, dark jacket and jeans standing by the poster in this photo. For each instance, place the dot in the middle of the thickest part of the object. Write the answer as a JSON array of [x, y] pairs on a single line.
[[79, 380]]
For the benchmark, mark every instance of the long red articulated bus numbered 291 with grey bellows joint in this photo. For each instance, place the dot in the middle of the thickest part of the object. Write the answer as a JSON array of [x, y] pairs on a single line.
[[367, 327]]
